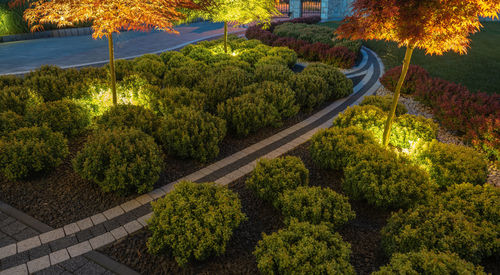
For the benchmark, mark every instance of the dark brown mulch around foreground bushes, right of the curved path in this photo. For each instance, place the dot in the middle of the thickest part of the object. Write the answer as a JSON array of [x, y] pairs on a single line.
[[362, 233]]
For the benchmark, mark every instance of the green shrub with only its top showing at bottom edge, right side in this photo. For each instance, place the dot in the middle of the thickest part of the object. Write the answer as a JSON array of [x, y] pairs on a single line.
[[428, 262]]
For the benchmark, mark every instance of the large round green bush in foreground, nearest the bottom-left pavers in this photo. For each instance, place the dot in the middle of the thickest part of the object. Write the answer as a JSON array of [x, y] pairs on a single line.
[[194, 221]]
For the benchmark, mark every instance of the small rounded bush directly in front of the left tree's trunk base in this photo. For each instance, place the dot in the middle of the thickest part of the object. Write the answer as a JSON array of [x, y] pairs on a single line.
[[129, 116]]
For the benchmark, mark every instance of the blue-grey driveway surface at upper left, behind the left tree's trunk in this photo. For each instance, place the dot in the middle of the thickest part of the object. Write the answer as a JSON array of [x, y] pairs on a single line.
[[75, 51]]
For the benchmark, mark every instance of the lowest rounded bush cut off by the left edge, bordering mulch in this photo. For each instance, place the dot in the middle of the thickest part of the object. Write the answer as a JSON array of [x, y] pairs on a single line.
[[27, 151]]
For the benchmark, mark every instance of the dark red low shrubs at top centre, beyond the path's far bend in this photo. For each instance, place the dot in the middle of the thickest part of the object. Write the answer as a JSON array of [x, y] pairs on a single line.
[[340, 53]]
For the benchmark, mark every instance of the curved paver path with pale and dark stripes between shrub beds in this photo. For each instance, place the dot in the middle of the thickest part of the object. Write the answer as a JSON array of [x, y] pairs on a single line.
[[85, 236]]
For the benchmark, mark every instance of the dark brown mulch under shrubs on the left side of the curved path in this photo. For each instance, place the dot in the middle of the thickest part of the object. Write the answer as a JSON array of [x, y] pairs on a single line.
[[61, 197]]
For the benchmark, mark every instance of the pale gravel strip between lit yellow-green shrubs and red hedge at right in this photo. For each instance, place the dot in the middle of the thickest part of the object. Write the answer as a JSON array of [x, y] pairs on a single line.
[[445, 136]]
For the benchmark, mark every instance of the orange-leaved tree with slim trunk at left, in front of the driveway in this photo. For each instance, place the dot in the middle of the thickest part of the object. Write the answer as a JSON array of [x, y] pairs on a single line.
[[110, 16]]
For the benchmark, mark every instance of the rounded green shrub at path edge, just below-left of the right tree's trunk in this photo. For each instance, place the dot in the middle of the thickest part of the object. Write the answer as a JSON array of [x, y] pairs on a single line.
[[335, 148]]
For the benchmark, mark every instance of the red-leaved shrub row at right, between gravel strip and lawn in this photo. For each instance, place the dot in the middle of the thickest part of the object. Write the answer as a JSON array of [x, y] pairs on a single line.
[[474, 115]]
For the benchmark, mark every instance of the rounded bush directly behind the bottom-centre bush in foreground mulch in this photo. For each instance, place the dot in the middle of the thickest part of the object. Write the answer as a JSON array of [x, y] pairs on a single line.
[[315, 205]]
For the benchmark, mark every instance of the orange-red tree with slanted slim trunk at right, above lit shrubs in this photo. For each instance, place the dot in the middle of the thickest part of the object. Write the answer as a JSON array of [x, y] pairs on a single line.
[[436, 26]]
